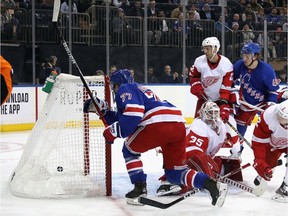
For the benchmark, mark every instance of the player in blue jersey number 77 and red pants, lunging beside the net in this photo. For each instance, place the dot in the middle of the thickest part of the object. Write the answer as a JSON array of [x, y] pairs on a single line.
[[147, 123]]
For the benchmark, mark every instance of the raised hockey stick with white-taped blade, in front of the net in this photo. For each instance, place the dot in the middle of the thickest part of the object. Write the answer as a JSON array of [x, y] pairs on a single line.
[[56, 10]]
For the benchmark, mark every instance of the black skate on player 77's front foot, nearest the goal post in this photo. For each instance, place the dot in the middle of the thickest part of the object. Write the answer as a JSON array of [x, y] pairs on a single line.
[[138, 191]]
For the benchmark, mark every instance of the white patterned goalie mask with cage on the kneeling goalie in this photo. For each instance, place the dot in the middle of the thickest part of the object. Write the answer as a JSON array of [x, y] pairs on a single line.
[[210, 114]]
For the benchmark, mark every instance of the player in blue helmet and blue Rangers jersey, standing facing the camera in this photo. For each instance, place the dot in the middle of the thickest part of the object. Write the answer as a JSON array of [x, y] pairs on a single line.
[[258, 85]]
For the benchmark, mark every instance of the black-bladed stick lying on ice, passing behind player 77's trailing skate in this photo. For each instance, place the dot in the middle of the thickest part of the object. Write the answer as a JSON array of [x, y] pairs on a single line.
[[158, 204]]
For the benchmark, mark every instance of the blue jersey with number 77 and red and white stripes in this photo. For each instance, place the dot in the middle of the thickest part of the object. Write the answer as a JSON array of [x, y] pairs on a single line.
[[139, 106]]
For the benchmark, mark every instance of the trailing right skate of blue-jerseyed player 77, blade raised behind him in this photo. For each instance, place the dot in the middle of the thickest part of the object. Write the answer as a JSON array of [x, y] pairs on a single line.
[[218, 191]]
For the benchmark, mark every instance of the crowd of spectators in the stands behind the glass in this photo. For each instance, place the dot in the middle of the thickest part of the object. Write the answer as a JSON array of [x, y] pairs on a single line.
[[244, 22]]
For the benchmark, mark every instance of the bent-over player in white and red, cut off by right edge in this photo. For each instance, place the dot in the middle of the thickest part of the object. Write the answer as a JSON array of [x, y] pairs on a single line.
[[269, 142]]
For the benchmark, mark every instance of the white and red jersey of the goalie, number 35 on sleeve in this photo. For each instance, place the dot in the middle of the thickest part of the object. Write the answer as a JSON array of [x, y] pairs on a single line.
[[200, 137]]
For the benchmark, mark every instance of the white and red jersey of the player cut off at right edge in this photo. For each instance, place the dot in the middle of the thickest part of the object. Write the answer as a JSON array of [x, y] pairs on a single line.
[[269, 131]]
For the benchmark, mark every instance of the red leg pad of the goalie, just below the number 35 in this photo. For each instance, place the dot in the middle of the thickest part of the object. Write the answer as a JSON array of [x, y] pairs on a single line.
[[203, 163]]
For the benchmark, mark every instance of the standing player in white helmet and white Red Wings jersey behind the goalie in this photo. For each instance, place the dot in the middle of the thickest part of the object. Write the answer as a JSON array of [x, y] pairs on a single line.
[[211, 78]]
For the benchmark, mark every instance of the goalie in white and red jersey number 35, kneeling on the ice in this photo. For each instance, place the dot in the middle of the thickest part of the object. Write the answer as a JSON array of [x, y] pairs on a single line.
[[204, 138]]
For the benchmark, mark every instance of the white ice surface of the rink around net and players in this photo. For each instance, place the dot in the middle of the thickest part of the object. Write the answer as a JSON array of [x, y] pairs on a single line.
[[239, 203]]
